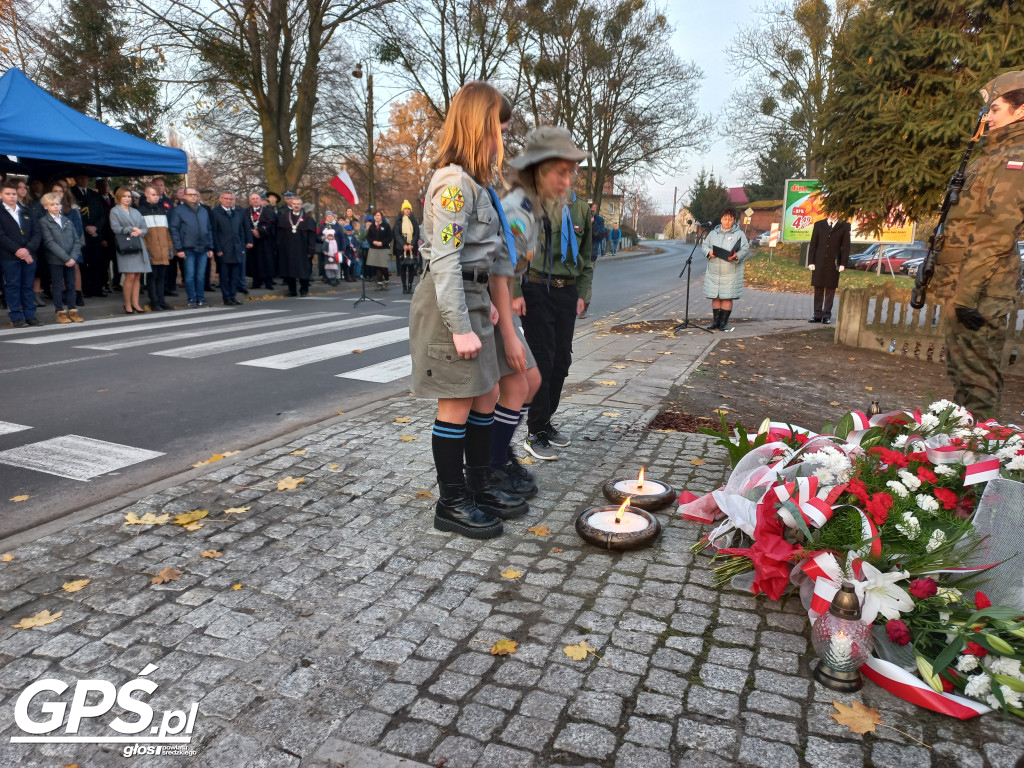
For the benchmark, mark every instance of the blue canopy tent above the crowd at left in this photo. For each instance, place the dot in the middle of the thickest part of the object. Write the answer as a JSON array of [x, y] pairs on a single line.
[[42, 137]]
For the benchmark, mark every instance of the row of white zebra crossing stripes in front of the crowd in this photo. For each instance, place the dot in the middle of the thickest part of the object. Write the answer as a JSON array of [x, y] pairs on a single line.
[[222, 333]]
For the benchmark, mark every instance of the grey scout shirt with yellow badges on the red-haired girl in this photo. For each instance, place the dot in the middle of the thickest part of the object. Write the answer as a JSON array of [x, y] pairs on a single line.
[[461, 234]]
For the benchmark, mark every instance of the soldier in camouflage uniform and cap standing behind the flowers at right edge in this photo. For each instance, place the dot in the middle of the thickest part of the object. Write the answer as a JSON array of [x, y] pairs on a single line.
[[978, 271]]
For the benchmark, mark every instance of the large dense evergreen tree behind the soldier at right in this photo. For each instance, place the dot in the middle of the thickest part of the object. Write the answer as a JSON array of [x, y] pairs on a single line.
[[905, 101]]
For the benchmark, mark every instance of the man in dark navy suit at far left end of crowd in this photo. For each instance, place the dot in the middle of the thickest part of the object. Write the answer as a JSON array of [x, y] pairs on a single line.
[[20, 237]]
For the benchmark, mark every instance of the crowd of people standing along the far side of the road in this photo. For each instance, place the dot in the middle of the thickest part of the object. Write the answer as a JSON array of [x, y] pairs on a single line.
[[93, 243]]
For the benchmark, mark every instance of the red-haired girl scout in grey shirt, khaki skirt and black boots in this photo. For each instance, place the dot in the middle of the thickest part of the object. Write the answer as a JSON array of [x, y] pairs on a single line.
[[452, 320]]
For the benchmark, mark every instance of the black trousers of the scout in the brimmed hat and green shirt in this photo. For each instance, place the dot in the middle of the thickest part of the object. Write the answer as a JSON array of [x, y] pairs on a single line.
[[548, 327]]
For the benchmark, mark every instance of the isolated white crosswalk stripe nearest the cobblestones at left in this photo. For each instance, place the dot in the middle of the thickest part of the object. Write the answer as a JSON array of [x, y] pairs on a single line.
[[75, 457]]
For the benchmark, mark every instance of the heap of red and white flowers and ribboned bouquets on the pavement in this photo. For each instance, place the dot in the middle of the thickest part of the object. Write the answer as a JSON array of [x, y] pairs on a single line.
[[898, 505]]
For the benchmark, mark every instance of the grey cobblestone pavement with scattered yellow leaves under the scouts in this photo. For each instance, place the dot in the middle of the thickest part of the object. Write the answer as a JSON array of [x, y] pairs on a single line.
[[338, 628]]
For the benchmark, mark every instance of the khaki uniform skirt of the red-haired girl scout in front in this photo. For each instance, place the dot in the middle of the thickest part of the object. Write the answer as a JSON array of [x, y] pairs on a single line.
[[439, 372]]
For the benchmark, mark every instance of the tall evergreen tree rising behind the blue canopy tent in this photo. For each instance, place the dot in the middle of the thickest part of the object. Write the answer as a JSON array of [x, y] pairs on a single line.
[[92, 67]]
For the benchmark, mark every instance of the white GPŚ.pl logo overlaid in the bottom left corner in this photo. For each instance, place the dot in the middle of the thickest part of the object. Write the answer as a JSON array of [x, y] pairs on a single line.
[[172, 737]]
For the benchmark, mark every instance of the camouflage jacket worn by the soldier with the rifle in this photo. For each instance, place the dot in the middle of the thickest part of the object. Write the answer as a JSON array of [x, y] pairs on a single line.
[[980, 258]]
